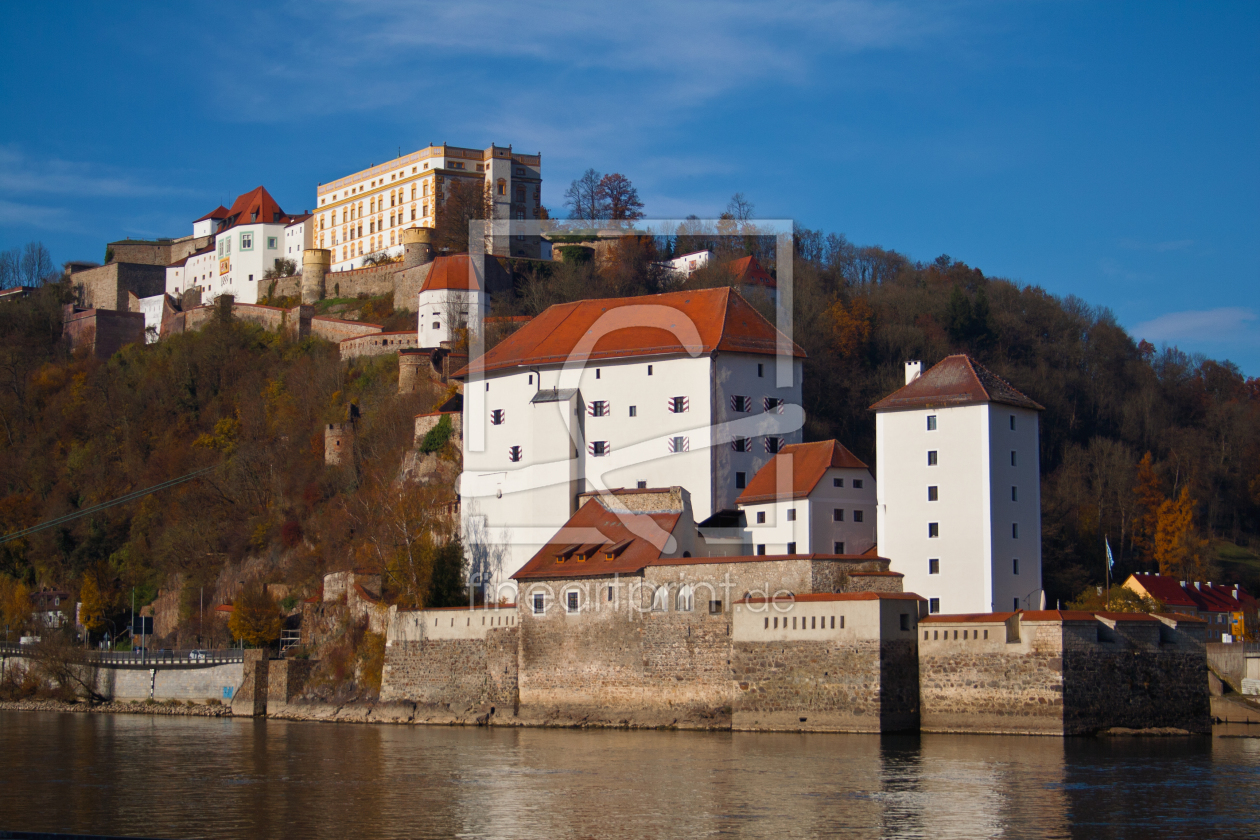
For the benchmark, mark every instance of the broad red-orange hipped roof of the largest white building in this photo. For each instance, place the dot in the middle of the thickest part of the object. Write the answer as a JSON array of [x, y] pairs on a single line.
[[702, 322]]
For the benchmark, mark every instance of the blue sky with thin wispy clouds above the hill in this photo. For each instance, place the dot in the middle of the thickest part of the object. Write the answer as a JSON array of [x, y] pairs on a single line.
[[1107, 150]]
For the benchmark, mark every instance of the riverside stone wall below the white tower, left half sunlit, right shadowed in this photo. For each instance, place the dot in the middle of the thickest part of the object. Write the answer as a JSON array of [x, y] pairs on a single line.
[[1033, 674]]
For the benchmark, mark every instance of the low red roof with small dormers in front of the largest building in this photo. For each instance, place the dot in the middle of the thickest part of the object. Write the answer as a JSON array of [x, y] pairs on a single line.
[[580, 548]]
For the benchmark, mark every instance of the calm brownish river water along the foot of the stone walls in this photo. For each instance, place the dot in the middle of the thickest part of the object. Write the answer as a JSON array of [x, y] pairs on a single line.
[[209, 778]]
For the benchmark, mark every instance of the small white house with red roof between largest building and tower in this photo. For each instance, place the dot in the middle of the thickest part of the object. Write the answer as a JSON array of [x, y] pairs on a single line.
[[810, 498]]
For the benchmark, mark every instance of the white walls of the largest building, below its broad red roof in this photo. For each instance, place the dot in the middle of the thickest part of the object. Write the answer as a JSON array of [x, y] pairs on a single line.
[[633, 423]]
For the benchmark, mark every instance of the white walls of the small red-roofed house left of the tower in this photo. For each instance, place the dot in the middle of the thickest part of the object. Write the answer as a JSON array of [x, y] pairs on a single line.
[[839, 517]]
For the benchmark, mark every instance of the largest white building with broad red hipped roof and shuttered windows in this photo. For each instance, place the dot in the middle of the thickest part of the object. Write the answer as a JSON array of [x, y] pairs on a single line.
[[633, 392]]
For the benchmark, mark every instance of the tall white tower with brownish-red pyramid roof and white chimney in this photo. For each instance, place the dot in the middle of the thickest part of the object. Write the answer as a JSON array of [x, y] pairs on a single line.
[[958, 489]]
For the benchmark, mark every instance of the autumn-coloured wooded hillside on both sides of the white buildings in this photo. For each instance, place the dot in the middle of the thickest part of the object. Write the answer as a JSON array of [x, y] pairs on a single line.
[[253, 405]]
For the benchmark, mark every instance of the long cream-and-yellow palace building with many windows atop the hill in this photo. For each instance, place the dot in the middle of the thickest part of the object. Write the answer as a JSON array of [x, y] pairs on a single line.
[[366, 213]]
